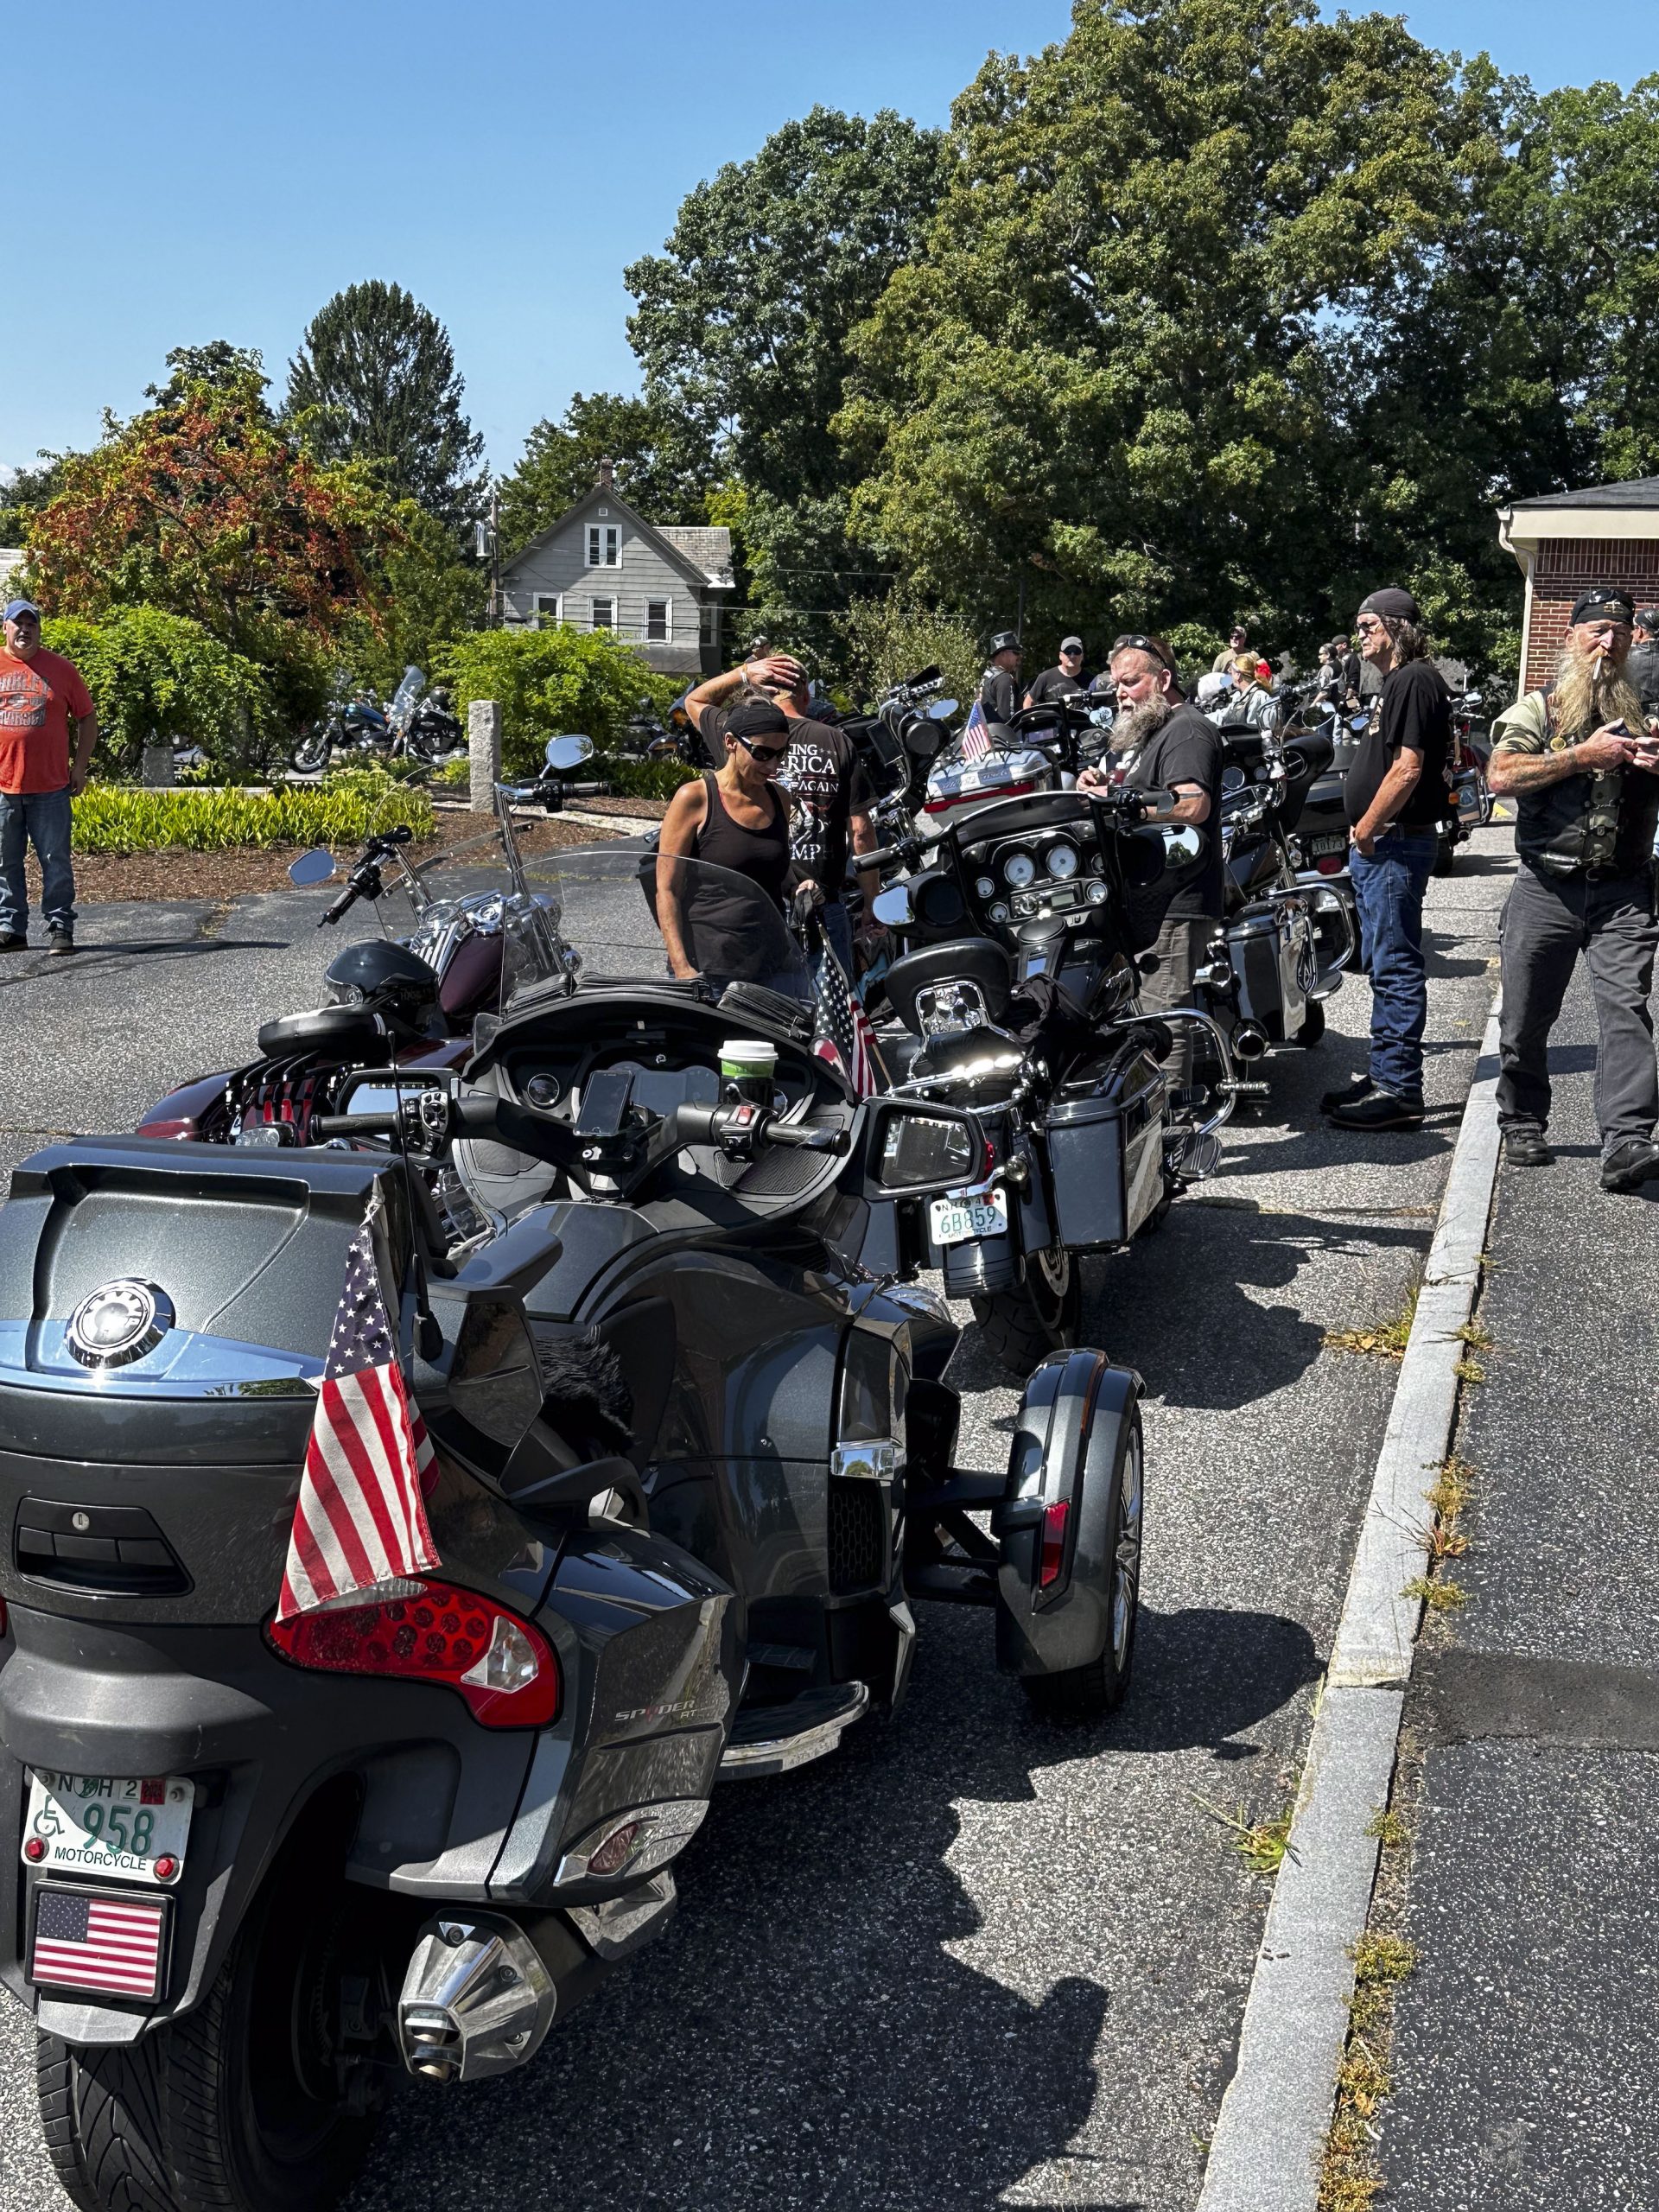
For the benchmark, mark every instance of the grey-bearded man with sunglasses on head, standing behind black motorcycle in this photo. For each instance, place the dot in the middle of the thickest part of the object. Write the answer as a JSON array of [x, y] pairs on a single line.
[[1165, 744]]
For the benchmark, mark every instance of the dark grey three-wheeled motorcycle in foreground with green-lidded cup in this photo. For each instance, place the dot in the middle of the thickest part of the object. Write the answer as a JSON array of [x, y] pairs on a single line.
[[693, 1468]]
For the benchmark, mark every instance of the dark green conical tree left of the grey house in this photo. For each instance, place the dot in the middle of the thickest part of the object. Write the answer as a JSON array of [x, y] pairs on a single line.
[[375, 379]]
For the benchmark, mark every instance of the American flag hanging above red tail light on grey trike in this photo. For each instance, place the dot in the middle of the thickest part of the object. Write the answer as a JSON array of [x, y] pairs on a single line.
[[359, 1516]]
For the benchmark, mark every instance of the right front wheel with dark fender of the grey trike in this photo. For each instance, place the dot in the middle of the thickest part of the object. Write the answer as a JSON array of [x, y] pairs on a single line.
[[1070, 1441]]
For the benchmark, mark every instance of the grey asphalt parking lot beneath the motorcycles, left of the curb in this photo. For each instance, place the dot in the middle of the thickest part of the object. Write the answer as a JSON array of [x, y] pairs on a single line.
[[972, 1959]]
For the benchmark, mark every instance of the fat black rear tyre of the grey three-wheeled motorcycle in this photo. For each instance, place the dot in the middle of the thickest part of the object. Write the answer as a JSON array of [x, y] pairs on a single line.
[[236, 2107]]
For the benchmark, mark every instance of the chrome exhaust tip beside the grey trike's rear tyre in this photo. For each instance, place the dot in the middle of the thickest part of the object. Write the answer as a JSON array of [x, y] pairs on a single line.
[[477, 1999]]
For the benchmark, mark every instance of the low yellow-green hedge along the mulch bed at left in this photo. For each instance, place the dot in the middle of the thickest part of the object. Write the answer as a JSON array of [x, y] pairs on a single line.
[[118, 820]]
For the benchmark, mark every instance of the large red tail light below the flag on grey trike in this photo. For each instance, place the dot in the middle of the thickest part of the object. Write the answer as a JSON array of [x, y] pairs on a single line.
[[432, 1631]]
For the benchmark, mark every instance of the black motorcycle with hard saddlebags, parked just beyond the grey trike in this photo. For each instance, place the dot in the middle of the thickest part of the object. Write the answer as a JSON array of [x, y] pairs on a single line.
[[1021, 992]]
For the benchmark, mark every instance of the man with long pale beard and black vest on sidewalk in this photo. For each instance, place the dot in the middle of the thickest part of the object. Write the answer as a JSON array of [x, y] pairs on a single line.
[[1585, 773]]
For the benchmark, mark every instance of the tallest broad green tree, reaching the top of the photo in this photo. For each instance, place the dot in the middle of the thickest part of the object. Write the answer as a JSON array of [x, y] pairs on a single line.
[[1116, 368]]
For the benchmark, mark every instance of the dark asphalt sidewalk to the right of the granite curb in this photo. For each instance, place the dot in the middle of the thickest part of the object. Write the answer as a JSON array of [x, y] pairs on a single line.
[[1523, 2054]]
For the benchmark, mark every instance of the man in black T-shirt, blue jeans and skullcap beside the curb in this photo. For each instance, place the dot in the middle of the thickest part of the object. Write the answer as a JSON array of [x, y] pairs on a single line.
[[1395, 797]]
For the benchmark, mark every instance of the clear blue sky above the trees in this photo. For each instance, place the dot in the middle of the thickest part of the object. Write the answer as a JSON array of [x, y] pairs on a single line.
[[211, 169]]
